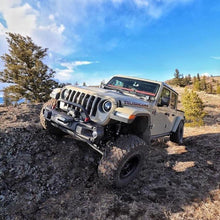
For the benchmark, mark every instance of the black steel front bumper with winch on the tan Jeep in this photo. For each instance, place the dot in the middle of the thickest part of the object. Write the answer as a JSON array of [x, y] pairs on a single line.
[[88, 132]]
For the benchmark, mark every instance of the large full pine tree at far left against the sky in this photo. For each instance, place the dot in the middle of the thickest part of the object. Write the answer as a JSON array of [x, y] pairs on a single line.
[[31, 78]]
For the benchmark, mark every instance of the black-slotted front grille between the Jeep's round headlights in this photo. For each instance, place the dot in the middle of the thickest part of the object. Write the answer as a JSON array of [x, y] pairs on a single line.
[[89, 102]]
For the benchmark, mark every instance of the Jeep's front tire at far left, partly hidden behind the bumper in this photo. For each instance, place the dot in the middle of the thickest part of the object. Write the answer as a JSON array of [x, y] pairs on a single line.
[[46, 124]]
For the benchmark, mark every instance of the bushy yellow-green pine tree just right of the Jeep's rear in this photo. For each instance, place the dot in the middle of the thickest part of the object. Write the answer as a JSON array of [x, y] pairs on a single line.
[[193, 108]]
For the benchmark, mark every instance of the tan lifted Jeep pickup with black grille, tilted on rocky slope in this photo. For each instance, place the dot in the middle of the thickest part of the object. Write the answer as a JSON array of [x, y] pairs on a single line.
[[118, 120]]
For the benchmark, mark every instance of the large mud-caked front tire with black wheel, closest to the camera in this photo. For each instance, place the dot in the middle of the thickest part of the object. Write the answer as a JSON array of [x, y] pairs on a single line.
[[122, 161]]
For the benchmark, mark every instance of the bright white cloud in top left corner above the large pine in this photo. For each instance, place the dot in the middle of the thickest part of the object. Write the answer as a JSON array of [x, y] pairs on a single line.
[[26, 20]]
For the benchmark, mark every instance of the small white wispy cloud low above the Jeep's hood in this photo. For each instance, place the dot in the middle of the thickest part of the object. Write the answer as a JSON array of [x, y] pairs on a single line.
[[66, 75]]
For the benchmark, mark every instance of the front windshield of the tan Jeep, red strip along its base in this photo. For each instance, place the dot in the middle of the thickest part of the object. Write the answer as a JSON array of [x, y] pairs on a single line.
[[141, 88]]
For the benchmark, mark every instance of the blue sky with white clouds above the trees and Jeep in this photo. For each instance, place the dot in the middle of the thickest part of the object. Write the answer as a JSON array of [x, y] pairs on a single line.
[[92, 40]]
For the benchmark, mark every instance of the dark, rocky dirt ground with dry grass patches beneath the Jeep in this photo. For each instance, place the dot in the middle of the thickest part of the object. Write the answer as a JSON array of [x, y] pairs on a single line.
[[44, 177]]
